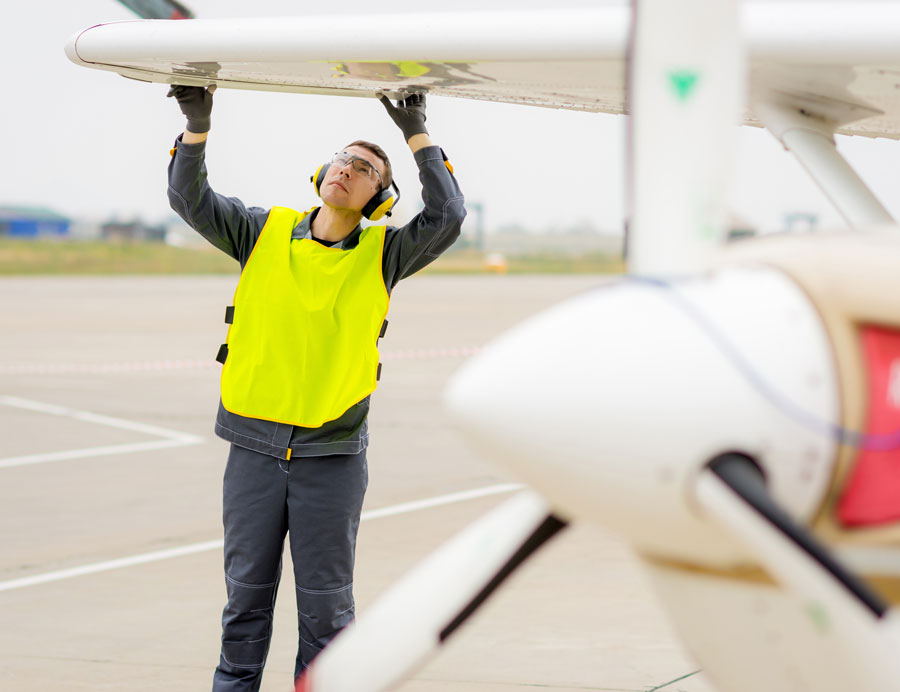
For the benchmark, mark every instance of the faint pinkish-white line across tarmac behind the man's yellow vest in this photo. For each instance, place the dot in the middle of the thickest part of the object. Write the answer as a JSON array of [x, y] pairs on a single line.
[[161, 365]]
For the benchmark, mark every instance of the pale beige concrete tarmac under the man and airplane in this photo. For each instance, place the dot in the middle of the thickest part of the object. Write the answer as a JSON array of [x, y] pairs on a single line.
[[108, 392]]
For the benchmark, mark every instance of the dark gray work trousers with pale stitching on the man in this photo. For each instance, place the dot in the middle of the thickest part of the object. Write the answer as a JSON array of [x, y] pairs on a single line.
[[317, 502]]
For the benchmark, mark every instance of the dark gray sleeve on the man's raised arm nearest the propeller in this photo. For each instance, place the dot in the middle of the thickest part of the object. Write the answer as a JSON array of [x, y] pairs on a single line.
[[409, 248]]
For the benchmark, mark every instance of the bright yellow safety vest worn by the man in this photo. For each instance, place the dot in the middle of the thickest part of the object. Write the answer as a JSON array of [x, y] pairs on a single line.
[[302, 346]]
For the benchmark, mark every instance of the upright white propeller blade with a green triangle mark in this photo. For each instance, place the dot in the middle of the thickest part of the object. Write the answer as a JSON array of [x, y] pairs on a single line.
[[686, 91]]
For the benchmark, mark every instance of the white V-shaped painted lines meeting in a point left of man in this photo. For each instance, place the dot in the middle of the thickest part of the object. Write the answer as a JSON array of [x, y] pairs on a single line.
[[171, 438]]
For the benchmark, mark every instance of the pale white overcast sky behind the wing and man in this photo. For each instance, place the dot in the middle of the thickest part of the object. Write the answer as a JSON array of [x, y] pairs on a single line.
[[92, 144]]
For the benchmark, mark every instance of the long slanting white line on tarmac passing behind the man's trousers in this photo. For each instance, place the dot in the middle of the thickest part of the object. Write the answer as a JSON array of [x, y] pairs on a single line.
[[193, 548]]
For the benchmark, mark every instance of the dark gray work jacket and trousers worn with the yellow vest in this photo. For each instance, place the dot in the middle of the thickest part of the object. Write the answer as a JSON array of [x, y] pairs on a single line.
[[316, 496]]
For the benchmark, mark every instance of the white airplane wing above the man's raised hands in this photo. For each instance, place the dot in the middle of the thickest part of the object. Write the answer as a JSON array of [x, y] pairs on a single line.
[[846, 54]]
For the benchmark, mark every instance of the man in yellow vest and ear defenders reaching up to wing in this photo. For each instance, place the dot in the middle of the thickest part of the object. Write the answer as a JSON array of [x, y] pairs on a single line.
[[299, 365]]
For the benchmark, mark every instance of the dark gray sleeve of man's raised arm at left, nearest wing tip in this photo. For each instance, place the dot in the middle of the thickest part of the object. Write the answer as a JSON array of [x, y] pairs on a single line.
[[223, 221]]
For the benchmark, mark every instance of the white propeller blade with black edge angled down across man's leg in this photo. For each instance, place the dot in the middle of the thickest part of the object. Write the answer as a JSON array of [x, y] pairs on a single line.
[[408, 623]]
